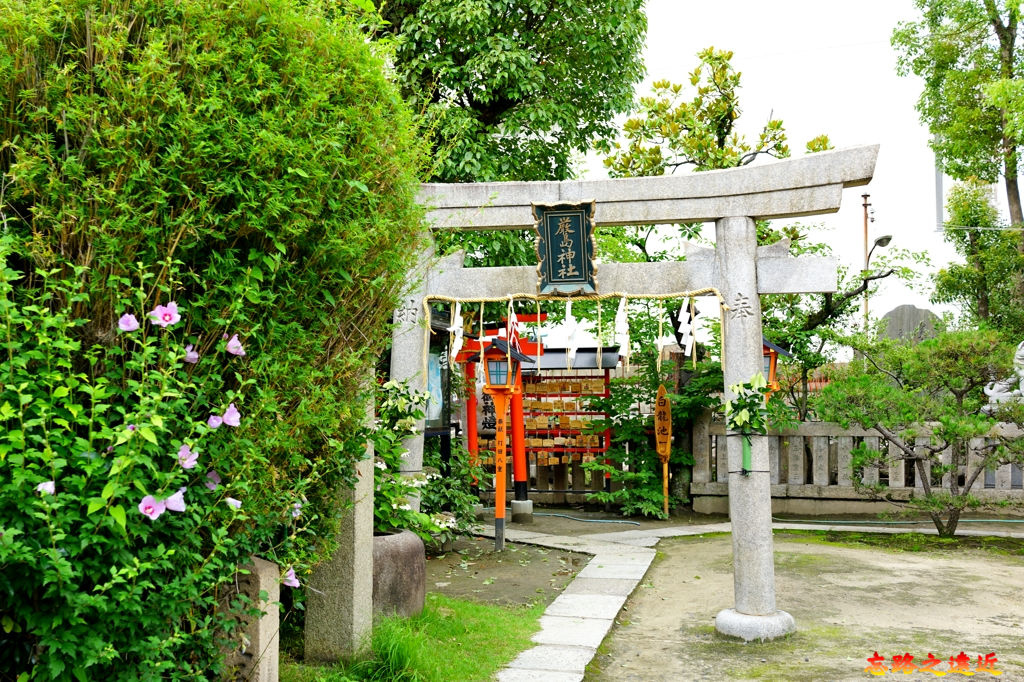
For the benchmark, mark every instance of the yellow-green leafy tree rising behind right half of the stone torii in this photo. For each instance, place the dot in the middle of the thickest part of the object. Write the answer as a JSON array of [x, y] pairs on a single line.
[[676, 130]]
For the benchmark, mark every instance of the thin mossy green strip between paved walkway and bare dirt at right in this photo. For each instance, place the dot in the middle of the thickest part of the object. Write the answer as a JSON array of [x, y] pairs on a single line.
[[906, 542]]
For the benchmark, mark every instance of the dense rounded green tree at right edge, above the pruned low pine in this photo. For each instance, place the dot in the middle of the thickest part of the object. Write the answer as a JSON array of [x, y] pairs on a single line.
[[979, 285]]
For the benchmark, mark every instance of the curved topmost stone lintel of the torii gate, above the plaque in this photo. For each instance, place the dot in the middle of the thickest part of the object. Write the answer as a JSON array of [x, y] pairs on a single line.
[[792, 188]]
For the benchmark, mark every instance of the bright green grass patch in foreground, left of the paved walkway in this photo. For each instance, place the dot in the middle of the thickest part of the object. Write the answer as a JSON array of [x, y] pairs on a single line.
[[452, 640]]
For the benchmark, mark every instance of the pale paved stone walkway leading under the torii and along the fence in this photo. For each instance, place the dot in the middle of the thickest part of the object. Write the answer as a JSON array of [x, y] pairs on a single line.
[[576, 624]]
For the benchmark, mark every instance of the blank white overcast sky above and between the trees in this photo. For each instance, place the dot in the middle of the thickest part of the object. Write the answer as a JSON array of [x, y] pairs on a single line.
[[822, 68]]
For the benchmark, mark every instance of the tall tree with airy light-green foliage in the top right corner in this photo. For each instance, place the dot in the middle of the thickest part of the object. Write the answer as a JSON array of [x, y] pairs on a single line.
[[961, 49]]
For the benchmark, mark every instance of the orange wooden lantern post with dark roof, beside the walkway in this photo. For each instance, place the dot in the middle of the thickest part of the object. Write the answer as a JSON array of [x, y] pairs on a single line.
[[502, 379]]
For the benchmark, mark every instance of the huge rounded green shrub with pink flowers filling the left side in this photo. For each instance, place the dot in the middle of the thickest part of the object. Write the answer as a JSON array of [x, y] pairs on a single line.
[[249, 162]]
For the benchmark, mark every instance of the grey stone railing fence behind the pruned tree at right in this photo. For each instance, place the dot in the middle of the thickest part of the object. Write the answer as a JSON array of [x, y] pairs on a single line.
[[812, 473]]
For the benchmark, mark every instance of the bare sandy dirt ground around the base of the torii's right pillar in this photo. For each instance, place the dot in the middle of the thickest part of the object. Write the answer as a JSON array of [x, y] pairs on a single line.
[[848, 604]]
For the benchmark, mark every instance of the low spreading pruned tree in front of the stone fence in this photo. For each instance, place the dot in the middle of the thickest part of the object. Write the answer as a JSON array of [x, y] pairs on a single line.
[[925, 400]]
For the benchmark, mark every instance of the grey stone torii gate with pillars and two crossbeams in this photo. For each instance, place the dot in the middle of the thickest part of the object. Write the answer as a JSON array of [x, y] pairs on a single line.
[[738, 268]]
